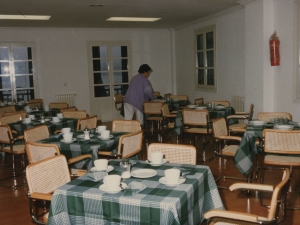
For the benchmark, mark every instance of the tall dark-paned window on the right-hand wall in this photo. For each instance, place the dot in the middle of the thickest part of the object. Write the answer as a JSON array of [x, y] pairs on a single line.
[[205, 56]]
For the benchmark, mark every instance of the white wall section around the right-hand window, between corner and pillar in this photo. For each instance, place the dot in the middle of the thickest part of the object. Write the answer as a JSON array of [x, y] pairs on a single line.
[[230, 65]]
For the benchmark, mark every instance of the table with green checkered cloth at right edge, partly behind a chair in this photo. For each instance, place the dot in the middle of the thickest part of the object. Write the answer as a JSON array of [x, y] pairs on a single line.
[[248, 148]]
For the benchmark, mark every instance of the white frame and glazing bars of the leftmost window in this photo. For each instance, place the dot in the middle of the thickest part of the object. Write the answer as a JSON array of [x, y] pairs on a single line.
[[12, 73]]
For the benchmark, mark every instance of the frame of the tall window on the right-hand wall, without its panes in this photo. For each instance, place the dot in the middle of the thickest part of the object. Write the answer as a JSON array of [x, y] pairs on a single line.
[[205, 86]]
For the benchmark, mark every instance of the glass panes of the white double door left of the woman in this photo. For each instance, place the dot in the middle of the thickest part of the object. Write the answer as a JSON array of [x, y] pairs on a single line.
[[110, 69]]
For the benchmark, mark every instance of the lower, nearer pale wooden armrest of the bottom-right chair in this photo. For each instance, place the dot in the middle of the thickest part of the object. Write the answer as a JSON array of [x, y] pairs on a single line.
[[231, 215]]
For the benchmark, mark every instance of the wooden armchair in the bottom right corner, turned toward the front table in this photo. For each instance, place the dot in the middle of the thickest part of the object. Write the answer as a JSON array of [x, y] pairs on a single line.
[[276, 212]]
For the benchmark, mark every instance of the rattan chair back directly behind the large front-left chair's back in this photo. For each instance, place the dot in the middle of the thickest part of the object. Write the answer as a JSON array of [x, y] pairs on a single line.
[[39, 151]]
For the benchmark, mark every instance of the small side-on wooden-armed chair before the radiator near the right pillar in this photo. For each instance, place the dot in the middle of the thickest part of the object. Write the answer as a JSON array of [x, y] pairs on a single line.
[[240, 127]]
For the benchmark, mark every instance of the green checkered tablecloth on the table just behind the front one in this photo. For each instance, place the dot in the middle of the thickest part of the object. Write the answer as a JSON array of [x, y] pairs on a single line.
[[82, 147]]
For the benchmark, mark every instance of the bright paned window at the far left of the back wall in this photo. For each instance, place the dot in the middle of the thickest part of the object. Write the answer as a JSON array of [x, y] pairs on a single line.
[[16, 72]]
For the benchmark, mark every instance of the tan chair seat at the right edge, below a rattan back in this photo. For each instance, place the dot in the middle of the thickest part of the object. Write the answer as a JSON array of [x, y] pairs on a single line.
[[282, 160]]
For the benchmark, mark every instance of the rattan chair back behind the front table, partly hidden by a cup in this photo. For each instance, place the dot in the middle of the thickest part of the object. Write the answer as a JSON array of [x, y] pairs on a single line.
[[174, 153]]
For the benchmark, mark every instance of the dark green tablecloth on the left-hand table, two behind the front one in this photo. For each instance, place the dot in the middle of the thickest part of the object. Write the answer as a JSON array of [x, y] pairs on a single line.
[[20, 126]]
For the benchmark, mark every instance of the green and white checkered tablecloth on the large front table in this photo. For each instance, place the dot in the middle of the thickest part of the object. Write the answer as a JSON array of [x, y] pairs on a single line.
[[81, 202]]
